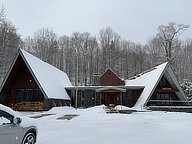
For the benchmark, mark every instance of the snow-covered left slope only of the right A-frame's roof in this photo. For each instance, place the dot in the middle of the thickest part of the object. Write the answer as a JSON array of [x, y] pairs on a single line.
[[148, 79]]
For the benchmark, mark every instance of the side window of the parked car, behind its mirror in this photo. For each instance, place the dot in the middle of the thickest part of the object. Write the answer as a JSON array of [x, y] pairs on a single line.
[[5, 118]]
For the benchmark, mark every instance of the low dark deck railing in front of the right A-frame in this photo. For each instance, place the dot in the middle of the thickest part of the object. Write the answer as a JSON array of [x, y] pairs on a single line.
[[169, 103]]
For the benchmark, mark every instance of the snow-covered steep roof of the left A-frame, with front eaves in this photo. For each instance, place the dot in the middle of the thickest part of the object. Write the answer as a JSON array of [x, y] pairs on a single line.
[[50, 80]]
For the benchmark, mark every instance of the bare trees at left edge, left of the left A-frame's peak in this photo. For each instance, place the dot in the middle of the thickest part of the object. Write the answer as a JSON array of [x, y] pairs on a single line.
[[9, 43]]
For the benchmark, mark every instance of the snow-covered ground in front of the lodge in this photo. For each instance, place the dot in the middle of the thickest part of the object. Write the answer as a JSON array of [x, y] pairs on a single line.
[[94, 126]]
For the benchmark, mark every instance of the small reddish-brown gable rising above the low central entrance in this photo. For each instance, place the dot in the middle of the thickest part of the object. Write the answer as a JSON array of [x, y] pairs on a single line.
[[109, 78]]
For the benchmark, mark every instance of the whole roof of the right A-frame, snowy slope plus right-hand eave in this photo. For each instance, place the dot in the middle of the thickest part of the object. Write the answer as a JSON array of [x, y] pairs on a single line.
[[150, 79]]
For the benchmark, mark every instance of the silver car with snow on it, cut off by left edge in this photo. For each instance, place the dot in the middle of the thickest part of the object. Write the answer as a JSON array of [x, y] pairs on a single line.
[[15, 129]]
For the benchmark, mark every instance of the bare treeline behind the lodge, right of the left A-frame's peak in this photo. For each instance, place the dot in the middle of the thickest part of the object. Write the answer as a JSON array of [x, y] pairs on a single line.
[[124, 57]]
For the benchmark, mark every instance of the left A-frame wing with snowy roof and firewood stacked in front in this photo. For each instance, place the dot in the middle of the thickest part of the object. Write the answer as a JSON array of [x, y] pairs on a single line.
[[32, 84]]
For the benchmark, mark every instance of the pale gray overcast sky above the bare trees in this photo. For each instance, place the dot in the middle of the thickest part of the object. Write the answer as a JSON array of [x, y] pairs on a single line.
[[135, 20]]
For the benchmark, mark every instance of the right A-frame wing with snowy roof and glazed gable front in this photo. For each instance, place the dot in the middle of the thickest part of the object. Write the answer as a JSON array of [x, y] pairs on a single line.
[[161, 87]]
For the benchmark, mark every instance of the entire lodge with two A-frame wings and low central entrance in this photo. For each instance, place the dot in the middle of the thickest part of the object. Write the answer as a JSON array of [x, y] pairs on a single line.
[[32, 84]]
